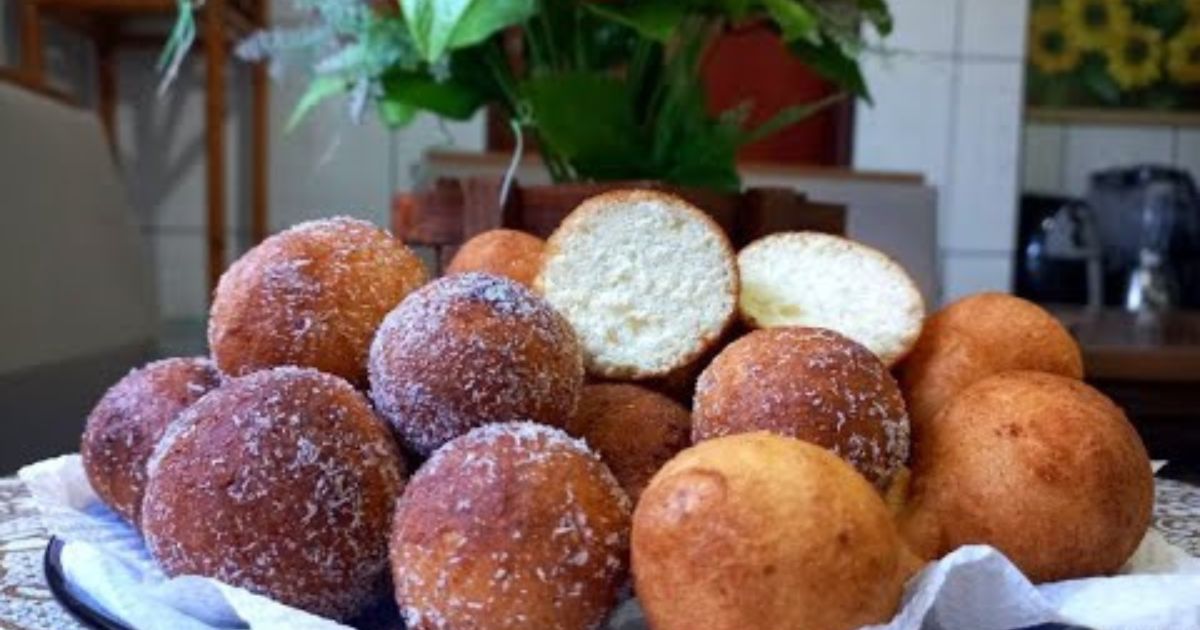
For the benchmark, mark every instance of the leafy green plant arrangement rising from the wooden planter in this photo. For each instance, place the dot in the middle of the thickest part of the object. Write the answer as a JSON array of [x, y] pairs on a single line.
[[609, 89]]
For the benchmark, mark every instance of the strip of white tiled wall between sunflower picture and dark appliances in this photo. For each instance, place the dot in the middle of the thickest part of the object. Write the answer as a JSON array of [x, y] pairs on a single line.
[[1060, 158]]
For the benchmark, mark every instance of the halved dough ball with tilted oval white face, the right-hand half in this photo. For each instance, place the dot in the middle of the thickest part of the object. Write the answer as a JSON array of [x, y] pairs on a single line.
[[808, 279]]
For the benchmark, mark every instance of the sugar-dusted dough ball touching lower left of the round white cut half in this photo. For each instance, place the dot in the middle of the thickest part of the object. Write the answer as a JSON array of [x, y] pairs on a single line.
[[470, 350]]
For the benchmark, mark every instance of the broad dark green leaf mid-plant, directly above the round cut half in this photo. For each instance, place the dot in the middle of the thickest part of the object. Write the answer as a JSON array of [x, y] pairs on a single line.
[[589, 121]]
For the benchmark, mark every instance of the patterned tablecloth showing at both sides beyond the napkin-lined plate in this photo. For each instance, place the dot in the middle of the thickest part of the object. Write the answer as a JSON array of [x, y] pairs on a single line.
[[27, 604]]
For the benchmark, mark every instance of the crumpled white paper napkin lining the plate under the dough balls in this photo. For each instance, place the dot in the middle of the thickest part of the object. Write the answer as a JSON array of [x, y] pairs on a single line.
[[975, 587]]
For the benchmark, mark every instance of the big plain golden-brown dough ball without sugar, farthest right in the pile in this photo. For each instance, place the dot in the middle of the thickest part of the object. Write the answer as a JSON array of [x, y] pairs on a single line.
[[1042, 467]]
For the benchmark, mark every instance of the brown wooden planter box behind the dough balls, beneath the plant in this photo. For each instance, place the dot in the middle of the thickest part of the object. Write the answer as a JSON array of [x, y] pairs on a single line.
[[449, 213]]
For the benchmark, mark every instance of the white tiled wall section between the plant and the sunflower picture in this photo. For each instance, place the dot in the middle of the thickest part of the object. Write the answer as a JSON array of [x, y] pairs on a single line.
[[949, 100]]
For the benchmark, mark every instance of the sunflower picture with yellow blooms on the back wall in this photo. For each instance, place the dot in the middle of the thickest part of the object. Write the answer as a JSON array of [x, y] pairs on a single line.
[[1107, 59]]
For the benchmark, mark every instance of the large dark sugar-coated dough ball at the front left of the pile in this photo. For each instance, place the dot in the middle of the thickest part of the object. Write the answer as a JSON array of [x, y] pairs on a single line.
[[283, 483]]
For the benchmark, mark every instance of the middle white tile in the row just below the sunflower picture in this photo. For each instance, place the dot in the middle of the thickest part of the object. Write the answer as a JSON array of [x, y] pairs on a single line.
[[1094, 148]]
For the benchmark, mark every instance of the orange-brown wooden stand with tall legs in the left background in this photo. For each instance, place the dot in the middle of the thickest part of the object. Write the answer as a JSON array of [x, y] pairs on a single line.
[[220, 23]]
